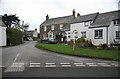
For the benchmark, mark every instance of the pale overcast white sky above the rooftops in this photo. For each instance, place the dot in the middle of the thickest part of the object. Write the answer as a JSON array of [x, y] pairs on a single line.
[[34, 12]]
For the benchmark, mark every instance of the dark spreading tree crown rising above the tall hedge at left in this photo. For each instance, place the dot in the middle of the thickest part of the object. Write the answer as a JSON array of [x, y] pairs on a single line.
[[10, 19]]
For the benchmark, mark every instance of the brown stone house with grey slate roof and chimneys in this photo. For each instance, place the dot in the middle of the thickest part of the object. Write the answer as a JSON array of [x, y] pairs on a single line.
[[56, 26]]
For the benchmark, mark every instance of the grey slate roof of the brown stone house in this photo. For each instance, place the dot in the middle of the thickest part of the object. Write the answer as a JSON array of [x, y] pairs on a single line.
[[58, 20]]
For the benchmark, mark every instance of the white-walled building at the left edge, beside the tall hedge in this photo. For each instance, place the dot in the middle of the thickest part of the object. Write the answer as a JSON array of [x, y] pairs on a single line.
[[2, 33]]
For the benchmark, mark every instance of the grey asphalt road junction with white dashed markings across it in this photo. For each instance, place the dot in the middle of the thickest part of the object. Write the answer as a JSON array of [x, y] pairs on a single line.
[[28, 61]]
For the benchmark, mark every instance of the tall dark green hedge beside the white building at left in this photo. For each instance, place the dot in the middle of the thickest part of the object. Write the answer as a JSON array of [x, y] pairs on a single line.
[[14, 36]]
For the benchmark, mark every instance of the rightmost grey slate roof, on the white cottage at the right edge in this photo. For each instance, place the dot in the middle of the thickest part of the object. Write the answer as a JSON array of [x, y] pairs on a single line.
[[104, 19]]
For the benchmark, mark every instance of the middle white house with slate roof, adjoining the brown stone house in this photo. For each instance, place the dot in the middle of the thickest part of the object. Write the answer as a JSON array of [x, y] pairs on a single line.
[[80, 26]]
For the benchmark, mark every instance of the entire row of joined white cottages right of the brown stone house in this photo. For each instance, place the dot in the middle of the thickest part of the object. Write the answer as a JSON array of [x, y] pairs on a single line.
[[101, 28]]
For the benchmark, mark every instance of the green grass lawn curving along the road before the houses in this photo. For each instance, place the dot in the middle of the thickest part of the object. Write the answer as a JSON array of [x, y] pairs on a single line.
[[83, 52]]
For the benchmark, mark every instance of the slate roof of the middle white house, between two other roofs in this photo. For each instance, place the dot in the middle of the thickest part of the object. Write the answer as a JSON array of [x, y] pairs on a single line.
[[84, 18]]
